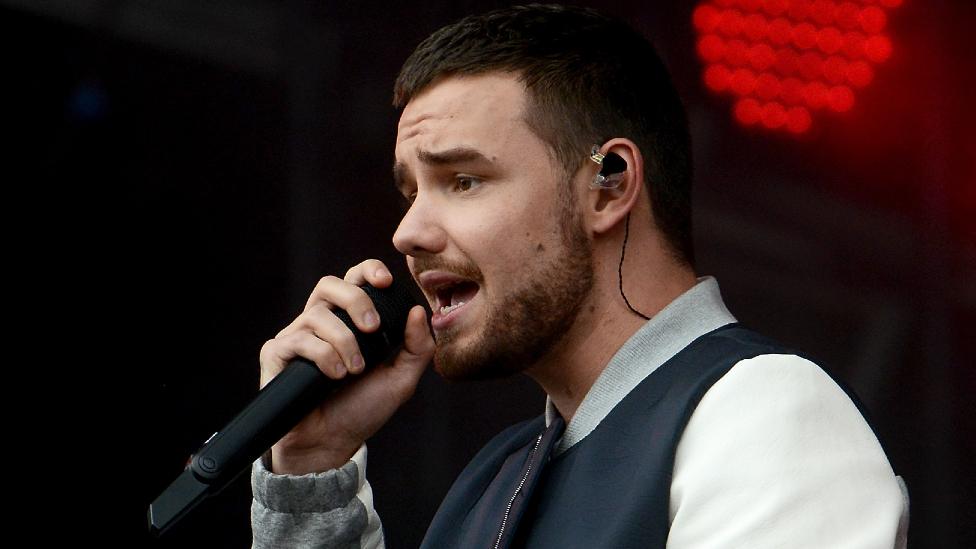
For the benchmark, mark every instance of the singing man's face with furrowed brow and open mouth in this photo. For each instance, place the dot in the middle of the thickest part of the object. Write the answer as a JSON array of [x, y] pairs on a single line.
[[493, 235]]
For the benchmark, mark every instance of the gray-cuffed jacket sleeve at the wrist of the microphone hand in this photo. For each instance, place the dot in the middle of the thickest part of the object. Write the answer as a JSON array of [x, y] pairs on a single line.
[[333, 509]]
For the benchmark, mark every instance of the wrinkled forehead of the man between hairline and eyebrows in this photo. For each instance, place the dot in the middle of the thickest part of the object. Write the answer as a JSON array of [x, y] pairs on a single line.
[[484, 112]]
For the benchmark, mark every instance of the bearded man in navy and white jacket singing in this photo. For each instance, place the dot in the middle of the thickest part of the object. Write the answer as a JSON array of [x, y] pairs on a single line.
[[545, 157]]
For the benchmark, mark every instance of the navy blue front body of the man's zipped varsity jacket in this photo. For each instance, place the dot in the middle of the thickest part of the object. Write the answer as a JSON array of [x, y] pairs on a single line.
[[612, 488]]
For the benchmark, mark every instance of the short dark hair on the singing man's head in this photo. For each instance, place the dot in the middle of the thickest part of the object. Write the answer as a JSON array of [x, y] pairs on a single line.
[[589, 78]]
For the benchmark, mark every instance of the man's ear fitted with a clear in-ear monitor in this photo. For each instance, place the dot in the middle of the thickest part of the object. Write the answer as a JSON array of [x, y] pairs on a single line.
[[605, 208]]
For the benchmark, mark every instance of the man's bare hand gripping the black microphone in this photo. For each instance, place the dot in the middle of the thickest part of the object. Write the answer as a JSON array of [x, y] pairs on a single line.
[[332, 433]]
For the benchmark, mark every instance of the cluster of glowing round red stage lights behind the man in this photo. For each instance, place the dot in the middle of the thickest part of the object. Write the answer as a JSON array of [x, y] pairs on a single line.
[[782, 59]]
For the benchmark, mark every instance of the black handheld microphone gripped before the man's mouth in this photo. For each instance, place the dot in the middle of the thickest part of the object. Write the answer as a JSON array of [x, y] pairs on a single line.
[[277, 408]]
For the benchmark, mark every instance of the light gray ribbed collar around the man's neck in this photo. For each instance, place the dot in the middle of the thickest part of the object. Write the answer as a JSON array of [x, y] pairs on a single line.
[[694, 313]]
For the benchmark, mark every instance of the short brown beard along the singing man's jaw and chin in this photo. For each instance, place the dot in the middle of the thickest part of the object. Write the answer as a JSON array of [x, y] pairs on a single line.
[[525, 323]]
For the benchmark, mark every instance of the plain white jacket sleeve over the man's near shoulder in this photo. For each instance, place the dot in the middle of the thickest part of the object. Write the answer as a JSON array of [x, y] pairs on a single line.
[[776, 455]]
